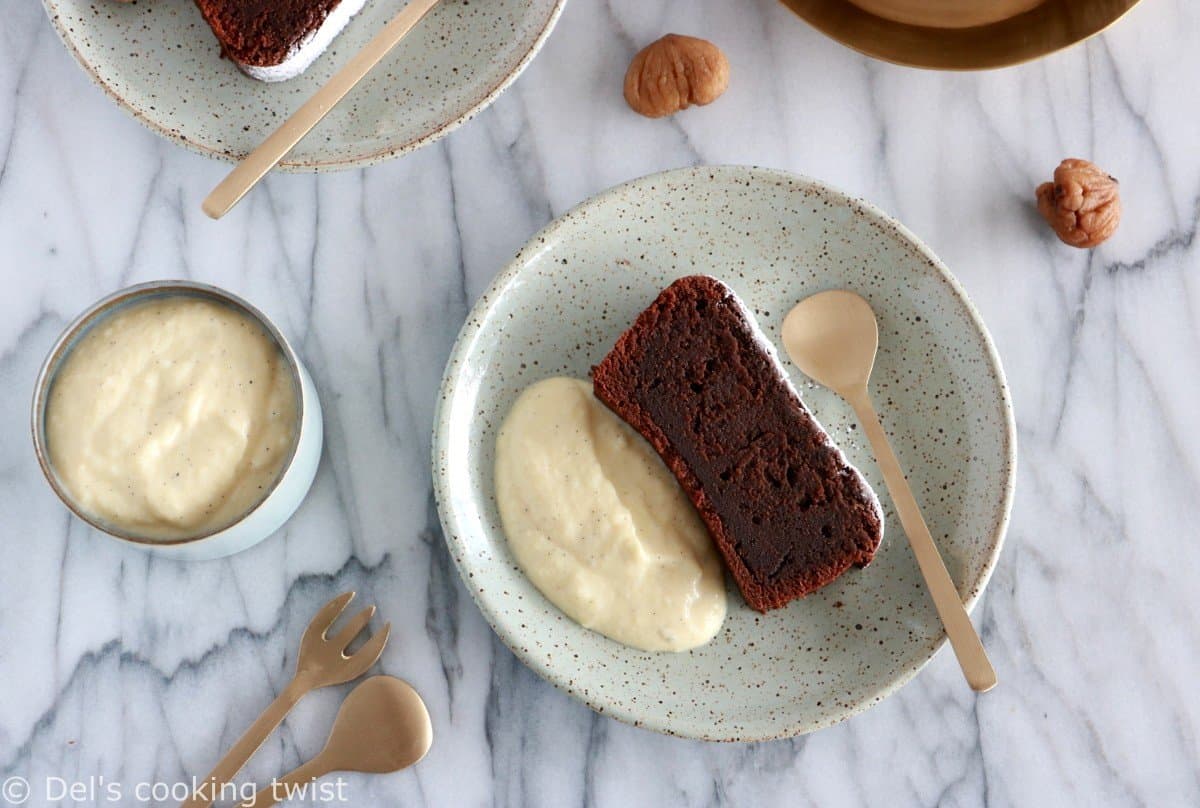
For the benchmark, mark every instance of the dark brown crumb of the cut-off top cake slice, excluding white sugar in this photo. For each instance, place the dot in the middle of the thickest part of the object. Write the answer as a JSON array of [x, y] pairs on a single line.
[[262, 33]]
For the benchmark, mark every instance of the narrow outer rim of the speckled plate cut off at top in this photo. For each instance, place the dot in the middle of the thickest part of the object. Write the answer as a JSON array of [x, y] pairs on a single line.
[[301, 166]]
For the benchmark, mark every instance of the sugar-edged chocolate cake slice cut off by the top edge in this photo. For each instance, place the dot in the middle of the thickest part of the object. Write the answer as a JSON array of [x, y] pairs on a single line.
[[277, 40]]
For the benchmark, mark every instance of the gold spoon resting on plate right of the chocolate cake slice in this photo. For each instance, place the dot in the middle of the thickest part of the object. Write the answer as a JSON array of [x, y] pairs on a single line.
[[833, 338]]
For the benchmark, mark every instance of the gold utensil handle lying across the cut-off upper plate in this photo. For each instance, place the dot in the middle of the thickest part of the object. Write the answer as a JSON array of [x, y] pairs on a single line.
[[263, 159]]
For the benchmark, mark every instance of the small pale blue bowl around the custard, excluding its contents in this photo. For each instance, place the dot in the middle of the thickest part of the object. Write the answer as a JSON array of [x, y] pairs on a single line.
[[285, 495]]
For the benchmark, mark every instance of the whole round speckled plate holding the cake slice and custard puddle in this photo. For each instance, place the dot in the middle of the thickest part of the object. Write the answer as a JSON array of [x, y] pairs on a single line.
[[775, 238]]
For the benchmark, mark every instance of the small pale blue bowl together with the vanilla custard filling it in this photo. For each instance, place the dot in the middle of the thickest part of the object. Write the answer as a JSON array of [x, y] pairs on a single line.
[[175, 416]]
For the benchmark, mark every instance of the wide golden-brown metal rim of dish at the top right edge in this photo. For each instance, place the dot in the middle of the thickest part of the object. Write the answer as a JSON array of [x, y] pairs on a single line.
[[1049, 28]]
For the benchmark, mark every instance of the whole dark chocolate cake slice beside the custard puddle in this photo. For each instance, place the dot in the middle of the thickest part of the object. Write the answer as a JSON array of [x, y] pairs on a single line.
[[699, 381]]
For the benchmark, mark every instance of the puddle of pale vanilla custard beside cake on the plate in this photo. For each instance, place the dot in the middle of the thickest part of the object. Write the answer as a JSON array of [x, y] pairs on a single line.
[[599, 524]]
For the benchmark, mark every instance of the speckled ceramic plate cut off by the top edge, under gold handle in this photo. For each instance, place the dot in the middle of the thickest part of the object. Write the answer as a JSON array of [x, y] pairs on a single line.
[[159, 61]]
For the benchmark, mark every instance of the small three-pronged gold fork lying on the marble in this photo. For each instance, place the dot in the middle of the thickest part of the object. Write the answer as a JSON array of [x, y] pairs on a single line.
[[322, 662]]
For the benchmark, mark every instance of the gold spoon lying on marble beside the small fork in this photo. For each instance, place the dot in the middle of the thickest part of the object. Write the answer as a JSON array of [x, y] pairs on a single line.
[[383, 727]]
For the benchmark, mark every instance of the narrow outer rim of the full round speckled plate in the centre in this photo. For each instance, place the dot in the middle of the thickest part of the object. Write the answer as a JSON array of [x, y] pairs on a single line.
[[512, 276]]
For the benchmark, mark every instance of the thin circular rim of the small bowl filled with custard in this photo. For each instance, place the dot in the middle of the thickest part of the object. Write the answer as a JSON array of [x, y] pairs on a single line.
[[103, 310]]
